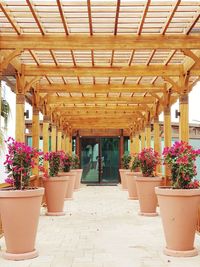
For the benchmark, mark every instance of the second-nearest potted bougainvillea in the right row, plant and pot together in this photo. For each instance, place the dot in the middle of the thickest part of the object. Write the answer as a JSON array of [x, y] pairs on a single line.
[[148, 181]]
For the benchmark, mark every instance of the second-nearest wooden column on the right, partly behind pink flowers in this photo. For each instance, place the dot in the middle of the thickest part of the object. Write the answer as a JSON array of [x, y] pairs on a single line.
[[167, 136]]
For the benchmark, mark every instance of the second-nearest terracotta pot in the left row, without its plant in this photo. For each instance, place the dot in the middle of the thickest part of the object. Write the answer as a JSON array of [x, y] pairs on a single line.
[[55, 190]]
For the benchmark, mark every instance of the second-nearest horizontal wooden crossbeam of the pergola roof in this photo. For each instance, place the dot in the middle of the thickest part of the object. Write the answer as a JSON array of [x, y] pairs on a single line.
[[137, 70]]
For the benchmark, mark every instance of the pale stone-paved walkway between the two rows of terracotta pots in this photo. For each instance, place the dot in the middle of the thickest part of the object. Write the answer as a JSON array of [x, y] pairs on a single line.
[[101, 228]]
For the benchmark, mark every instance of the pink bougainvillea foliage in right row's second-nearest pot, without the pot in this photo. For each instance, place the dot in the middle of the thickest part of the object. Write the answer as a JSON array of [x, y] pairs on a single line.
[[149, 159]]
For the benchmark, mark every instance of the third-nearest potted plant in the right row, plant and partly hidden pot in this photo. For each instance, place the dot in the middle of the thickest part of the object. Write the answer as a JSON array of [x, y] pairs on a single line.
[[131, 183]]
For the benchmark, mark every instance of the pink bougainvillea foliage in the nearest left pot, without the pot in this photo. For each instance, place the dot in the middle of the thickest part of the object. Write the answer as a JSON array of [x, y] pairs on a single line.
[[19, 162]]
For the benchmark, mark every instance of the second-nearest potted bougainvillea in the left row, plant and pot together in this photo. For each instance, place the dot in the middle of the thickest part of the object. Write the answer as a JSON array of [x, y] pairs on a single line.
[[55, 185]]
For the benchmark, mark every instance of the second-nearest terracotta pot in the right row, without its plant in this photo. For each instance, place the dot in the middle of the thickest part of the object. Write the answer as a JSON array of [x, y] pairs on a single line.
[[146, 194]]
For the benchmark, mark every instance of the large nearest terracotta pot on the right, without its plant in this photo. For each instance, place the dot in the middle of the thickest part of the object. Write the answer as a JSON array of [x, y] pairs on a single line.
[[179, 209]]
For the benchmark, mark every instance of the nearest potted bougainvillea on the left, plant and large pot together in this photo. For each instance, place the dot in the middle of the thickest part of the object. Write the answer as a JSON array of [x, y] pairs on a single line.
[[20, 203]]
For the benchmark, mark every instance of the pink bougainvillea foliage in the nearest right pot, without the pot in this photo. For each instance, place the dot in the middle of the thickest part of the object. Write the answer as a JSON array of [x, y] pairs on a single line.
[[181, 160]]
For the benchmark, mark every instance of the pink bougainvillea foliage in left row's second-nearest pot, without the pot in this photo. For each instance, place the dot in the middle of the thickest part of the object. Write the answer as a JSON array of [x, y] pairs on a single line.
[[54, 159]]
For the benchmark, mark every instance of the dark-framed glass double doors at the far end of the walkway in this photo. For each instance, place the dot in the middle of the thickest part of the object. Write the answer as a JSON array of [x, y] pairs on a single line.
[[100, 159]]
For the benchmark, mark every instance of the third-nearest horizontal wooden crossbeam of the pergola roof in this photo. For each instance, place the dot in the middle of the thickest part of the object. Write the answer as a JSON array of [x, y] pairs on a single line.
[[112, 88]]
